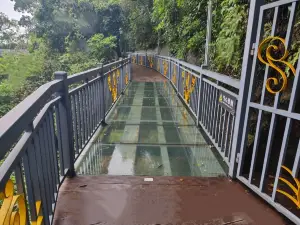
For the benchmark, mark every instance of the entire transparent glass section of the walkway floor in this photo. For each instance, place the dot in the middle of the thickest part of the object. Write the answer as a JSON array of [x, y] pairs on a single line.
[[150, 133]]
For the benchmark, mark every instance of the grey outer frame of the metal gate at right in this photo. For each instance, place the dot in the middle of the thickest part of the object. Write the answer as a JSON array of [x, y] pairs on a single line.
[[256, 7]]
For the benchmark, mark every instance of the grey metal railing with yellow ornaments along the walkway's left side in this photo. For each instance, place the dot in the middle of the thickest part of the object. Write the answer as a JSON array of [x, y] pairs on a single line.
[[42, 137]]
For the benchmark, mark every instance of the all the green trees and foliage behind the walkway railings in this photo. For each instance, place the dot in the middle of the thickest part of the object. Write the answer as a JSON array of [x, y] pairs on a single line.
[[75, 35]]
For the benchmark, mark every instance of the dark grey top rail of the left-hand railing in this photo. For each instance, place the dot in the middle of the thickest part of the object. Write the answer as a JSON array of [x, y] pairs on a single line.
[[13, 124]]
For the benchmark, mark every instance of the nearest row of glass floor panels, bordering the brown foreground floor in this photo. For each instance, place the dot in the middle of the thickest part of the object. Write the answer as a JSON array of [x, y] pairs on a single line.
[[150, 160]]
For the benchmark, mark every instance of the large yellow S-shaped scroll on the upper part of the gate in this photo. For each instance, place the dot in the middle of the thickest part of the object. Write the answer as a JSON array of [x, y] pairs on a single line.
[[271, 62]]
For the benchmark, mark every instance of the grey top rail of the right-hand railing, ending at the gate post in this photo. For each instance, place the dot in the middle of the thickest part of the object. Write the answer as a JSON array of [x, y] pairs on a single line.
[[217, 76]]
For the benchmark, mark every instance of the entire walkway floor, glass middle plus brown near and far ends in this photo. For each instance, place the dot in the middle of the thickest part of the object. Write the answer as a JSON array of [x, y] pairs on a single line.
[[128, 146]]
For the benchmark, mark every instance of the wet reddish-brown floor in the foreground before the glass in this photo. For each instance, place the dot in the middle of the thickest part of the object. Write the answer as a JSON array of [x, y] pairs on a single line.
[[95, 200]]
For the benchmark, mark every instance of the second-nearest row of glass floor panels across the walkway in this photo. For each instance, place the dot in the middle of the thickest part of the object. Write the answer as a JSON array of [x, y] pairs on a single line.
[[150, 133]]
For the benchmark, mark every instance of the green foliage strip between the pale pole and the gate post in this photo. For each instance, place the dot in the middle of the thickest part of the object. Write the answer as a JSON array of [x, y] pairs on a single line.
[[229, 35]]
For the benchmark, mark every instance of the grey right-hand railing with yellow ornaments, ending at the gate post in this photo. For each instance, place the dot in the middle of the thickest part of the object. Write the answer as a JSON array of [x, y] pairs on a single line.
[[200, 89]]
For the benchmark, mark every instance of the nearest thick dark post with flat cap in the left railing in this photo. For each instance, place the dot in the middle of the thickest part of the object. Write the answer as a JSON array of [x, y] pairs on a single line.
[[66, 125]]
